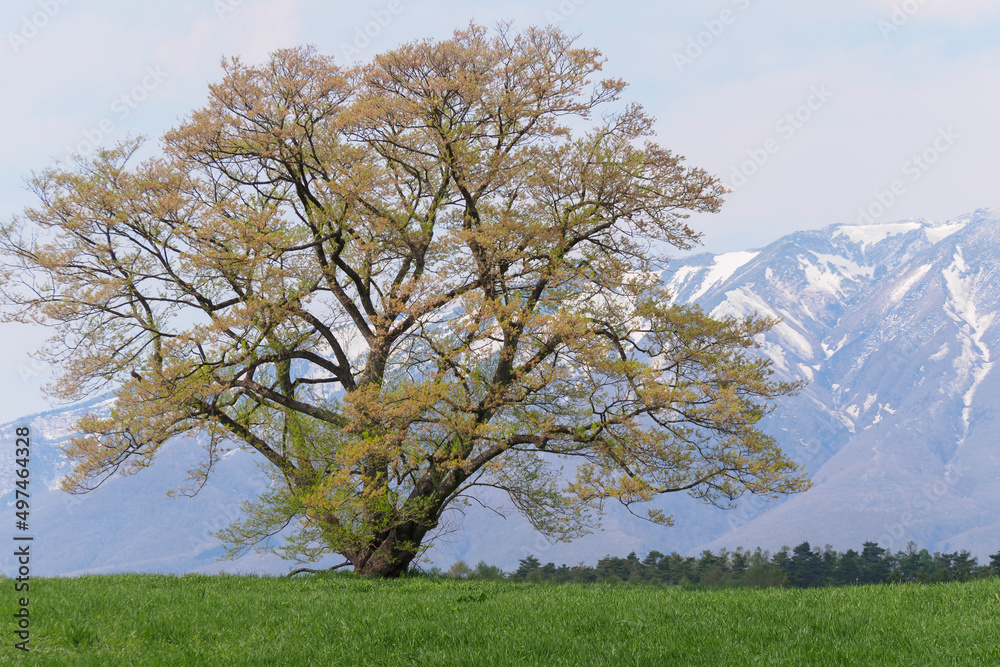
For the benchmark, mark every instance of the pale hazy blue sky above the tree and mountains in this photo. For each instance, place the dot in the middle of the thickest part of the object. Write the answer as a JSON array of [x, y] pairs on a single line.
[[812, 112]]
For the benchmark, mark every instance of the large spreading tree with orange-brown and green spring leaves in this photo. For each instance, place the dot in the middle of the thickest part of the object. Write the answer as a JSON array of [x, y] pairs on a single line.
[[398, 282]]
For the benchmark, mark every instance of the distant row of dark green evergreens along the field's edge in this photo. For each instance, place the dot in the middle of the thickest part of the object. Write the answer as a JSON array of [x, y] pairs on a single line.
[[804, 566]]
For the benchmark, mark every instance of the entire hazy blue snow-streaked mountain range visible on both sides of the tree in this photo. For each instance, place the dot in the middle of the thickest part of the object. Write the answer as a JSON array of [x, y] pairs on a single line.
[[895, 326]]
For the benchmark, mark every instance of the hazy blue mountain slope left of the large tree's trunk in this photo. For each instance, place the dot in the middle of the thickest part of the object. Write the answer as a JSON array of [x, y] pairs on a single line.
[[128, 523]]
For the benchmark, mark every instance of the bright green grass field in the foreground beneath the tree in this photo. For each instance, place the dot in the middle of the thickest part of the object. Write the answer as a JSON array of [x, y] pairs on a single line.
[[338, 620]]
